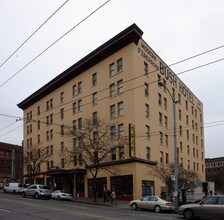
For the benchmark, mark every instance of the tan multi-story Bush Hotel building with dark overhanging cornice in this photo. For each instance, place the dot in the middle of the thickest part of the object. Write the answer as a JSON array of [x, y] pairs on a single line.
[[118, 81]]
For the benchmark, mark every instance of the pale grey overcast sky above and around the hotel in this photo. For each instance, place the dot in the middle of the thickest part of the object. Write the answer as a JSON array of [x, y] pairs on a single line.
[[175, 29]]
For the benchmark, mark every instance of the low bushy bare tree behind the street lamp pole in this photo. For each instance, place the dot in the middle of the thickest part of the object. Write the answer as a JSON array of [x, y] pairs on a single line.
[[186, 178]]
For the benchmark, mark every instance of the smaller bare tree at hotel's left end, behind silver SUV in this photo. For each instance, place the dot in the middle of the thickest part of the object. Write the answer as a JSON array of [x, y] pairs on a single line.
[[33, 157]]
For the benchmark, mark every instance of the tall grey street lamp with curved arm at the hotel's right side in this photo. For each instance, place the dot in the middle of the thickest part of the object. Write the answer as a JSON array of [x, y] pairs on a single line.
[[175, 101]]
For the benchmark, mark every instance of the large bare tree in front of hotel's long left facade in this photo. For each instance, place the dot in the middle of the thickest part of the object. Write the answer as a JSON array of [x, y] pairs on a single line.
[[93, 145]]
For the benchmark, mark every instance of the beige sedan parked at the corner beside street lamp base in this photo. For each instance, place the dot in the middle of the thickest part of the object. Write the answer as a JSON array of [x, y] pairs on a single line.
[[152, 202]]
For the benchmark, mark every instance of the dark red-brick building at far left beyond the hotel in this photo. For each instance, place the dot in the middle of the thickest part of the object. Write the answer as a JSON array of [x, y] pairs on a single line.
[[11, 162]]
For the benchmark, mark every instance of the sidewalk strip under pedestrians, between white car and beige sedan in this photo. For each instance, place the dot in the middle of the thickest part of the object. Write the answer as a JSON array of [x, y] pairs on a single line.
[[100, 202]]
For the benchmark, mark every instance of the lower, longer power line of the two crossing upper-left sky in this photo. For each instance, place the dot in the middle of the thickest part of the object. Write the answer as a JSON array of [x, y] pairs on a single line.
[[54, 43]]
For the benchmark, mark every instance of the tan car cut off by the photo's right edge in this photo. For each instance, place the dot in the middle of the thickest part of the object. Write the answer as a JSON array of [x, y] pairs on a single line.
[[209, 208]]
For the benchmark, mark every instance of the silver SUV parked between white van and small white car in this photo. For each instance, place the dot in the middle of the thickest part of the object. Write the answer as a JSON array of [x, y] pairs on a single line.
[[37, 191]]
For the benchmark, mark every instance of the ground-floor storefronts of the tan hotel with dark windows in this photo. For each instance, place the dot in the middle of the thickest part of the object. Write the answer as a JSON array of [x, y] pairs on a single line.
[[131, 181]]
